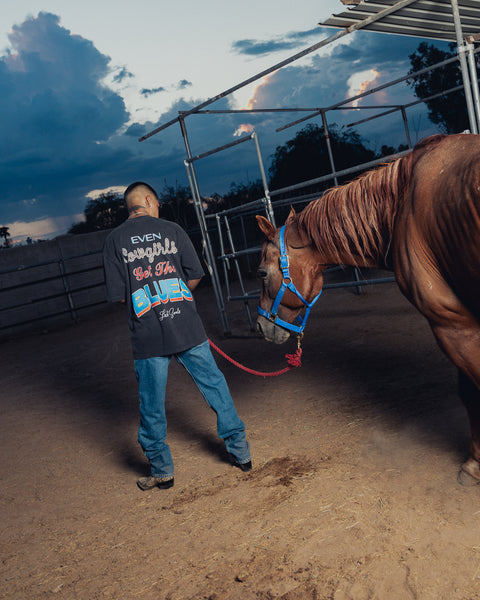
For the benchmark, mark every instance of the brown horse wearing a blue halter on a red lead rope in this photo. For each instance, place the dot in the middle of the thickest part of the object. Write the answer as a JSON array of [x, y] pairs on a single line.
[[418, 216]]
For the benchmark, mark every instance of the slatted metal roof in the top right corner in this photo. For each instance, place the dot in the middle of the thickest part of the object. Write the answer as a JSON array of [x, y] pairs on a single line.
[[432, 19]]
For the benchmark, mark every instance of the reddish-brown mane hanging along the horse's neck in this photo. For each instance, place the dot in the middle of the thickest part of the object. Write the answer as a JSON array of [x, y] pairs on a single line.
[[356, 220]]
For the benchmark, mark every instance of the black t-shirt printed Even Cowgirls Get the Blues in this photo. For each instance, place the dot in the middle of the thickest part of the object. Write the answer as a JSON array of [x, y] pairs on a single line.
[[148, 262]]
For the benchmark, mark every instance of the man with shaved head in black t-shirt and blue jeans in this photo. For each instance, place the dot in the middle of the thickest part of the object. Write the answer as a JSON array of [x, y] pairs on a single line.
[[151, 265]]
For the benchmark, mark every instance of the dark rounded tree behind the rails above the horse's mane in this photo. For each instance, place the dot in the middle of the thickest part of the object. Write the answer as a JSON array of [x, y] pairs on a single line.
[[306, 156]]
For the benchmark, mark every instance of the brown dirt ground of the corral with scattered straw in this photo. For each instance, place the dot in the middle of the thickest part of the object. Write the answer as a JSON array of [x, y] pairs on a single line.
[[353, 495]]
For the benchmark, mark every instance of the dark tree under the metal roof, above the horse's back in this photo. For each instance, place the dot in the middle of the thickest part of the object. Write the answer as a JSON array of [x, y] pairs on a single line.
[[449, 111]]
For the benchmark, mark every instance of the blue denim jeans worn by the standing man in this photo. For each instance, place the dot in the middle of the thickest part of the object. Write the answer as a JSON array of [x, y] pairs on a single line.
[[152, 374]]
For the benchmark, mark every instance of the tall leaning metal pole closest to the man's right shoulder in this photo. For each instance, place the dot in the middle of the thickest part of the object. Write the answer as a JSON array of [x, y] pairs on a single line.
[[197, 202]]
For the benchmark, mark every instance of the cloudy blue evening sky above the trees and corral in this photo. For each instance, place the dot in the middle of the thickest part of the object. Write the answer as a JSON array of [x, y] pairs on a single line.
[[81, 82]]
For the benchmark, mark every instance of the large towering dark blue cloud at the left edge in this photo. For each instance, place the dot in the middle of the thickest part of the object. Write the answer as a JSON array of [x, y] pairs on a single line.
[[55, 120]]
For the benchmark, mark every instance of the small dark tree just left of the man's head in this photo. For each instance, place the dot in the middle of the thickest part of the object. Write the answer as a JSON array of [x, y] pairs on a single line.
[[105, 212]]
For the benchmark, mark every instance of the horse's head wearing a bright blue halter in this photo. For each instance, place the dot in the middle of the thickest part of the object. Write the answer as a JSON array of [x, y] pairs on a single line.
[[291, 275]]
